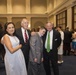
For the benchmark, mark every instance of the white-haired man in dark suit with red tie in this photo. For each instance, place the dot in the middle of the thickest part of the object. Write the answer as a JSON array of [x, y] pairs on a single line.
[[24, 35]]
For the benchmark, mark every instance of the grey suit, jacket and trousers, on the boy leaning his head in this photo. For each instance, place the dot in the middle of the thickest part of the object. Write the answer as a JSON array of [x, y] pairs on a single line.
[[36, 51]]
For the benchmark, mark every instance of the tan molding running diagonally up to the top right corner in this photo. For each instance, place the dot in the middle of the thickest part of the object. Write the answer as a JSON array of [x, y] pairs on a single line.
[[63, 6]]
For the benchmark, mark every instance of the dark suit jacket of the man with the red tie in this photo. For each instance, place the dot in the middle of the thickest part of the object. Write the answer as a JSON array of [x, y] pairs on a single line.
[[25, 46]]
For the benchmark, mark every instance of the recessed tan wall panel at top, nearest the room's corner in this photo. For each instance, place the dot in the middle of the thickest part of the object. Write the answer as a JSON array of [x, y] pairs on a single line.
[[38, 6]]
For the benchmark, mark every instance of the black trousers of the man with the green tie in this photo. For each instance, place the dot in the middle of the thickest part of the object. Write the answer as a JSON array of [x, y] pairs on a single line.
[[50, 59]]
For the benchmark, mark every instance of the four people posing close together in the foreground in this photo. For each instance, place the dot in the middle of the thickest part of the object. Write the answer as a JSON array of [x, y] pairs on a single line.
[[30, 53]]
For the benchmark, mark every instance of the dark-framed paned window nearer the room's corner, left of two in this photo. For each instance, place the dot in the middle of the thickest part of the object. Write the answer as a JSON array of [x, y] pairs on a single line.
[[61, 19]]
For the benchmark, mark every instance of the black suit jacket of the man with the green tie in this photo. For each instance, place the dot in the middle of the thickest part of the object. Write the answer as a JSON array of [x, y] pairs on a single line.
[[55, 43]]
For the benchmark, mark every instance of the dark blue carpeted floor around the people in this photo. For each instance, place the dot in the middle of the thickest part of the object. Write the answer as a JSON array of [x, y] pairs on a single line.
[[67, 68]]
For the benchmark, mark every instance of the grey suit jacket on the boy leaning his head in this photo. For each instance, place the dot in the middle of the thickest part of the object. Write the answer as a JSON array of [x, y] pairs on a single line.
[[36, 48]]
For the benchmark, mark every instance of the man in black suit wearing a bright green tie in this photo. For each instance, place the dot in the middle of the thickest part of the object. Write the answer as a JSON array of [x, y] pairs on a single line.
[[51, 53]]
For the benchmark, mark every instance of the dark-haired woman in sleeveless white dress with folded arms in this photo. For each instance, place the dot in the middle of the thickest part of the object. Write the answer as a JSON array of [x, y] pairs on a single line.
[[14, 59]]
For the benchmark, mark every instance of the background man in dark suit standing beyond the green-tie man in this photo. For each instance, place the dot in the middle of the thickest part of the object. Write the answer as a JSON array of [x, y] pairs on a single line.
[[67, 41]]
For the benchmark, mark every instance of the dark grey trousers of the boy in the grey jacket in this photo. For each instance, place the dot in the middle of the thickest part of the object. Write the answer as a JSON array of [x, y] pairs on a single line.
[[36, 69]]
